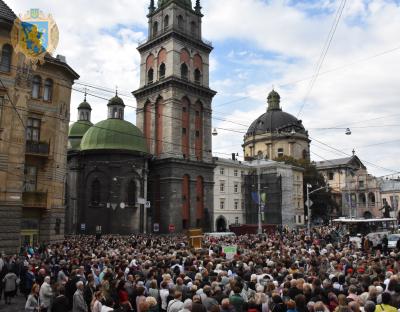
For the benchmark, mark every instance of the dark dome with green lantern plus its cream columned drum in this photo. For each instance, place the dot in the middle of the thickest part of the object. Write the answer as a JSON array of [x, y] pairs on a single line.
[[276, 134]]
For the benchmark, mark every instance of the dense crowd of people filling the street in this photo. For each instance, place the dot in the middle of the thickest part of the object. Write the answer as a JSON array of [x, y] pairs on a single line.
[[287, 271]]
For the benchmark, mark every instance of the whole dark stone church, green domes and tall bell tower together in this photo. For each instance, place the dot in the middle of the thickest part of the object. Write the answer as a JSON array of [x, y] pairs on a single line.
[[156, 176]]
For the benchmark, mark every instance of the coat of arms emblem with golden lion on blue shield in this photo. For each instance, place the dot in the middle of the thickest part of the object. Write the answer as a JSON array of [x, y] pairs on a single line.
[[35, 34]]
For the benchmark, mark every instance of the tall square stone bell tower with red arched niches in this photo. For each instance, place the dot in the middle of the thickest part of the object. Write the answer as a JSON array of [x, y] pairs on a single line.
[[174, 112]]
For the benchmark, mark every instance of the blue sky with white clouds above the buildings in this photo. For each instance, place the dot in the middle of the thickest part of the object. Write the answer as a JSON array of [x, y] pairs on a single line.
[[259, 44]]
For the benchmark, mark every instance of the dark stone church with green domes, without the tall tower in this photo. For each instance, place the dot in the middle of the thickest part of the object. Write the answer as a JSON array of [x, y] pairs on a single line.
[[107, 174]]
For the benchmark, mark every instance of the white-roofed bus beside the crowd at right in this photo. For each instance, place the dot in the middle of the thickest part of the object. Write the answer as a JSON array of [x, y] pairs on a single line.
[[374, 229]]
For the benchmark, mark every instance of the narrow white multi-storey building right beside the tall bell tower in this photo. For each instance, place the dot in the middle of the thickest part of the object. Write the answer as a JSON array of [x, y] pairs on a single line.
[[229, 204]]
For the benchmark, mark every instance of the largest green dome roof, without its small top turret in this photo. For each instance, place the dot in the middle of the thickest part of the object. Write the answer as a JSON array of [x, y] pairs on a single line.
[[114, 134]]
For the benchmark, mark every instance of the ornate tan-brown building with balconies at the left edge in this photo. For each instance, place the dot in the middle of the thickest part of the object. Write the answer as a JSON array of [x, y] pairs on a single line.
[[34, 116]]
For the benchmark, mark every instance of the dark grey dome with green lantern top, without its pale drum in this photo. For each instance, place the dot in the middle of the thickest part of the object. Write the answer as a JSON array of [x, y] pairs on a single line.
[[275, 120]]
